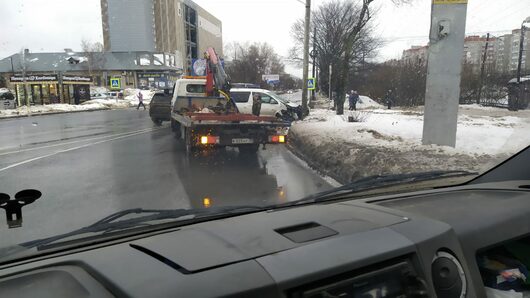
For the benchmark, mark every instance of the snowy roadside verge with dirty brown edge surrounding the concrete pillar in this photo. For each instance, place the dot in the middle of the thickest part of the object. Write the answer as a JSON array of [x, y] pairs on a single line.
[[389, 141]]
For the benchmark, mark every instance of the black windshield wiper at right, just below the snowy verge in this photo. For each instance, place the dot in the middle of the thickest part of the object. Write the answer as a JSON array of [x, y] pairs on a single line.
[[378, 181]]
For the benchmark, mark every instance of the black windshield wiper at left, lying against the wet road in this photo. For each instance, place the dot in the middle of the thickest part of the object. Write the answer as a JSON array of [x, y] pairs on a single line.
[[109, 223]]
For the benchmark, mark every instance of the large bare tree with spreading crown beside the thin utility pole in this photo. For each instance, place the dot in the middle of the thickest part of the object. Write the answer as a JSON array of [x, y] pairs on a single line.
[[344, 37]]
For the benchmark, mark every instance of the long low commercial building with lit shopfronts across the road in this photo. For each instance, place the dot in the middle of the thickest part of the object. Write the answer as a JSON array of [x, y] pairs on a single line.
[[66, 77]]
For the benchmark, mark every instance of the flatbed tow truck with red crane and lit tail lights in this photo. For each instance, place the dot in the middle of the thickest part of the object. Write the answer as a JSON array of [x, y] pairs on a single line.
[[203, 115]]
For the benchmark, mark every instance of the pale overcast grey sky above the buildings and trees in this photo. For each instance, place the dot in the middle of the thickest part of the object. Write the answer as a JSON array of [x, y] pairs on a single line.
[[45, 26]]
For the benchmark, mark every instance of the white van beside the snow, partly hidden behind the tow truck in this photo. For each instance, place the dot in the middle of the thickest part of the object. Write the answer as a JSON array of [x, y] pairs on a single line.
[[271, 103]]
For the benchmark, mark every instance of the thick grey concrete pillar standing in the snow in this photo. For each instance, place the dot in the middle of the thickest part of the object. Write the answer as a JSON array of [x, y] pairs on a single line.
[[448, 23]]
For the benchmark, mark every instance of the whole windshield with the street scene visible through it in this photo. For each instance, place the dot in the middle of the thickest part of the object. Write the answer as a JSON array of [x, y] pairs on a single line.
[[392, 97]]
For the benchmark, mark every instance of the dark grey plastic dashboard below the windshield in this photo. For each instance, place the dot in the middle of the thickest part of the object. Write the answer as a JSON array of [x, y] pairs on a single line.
[[333, 245]]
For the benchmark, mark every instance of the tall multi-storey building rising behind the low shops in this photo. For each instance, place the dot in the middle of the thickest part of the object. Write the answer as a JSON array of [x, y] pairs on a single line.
[[179, 27]]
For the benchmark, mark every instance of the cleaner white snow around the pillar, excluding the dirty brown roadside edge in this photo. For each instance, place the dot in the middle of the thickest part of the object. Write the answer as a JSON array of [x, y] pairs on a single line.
[[481, 130]]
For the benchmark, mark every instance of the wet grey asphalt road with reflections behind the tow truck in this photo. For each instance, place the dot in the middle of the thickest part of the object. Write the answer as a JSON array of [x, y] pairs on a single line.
[[89, 165]]
